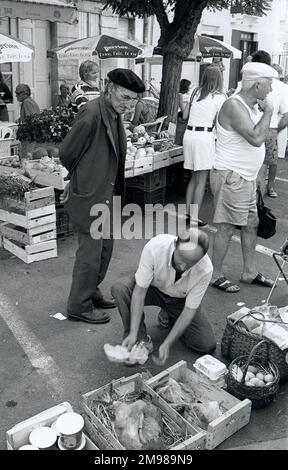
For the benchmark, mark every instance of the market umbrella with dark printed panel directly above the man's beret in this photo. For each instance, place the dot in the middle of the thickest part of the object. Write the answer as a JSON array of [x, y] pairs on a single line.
[[101, 46]]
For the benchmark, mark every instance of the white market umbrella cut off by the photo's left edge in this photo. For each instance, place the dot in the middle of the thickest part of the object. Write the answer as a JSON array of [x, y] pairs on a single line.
[[14, 50]]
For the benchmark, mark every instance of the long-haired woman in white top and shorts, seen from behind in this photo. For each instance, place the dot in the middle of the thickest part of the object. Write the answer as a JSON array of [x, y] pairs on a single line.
[[199, 140]]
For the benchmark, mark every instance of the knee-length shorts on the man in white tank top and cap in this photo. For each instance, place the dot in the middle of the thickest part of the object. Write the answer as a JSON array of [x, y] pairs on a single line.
[[234, 198]]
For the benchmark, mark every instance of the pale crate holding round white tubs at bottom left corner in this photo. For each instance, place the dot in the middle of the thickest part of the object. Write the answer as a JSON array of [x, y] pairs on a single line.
[[19, 434]]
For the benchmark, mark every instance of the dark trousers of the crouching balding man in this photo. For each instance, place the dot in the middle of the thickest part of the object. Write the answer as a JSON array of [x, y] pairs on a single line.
[[198, 335]]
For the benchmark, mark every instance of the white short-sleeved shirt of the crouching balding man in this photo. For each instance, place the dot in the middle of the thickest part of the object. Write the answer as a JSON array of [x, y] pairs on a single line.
[[155, 268]]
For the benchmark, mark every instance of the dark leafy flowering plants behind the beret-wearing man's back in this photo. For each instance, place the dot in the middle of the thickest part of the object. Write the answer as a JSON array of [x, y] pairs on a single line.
[[47, 126]]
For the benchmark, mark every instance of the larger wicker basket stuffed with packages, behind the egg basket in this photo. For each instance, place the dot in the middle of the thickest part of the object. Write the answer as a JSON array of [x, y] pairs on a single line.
[[237, 341]]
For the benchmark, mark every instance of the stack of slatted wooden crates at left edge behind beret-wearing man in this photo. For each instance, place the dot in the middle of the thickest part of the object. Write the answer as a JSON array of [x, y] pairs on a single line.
[[28, 227]]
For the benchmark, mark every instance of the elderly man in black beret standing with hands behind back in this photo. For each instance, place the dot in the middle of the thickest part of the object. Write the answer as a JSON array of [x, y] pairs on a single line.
[[94, 153]]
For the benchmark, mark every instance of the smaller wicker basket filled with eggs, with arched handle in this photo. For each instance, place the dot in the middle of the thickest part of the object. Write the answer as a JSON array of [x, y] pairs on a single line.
[[259, 396]]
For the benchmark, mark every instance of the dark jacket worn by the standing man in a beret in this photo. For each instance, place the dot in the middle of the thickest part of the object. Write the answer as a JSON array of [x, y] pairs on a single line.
[[99, 170]]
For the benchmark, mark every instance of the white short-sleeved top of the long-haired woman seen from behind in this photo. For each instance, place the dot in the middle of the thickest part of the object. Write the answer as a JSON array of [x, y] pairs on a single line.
[[202, 113]]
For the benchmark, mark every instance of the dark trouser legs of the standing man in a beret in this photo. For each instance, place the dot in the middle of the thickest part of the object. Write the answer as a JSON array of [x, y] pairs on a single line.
[[91, 264]]
